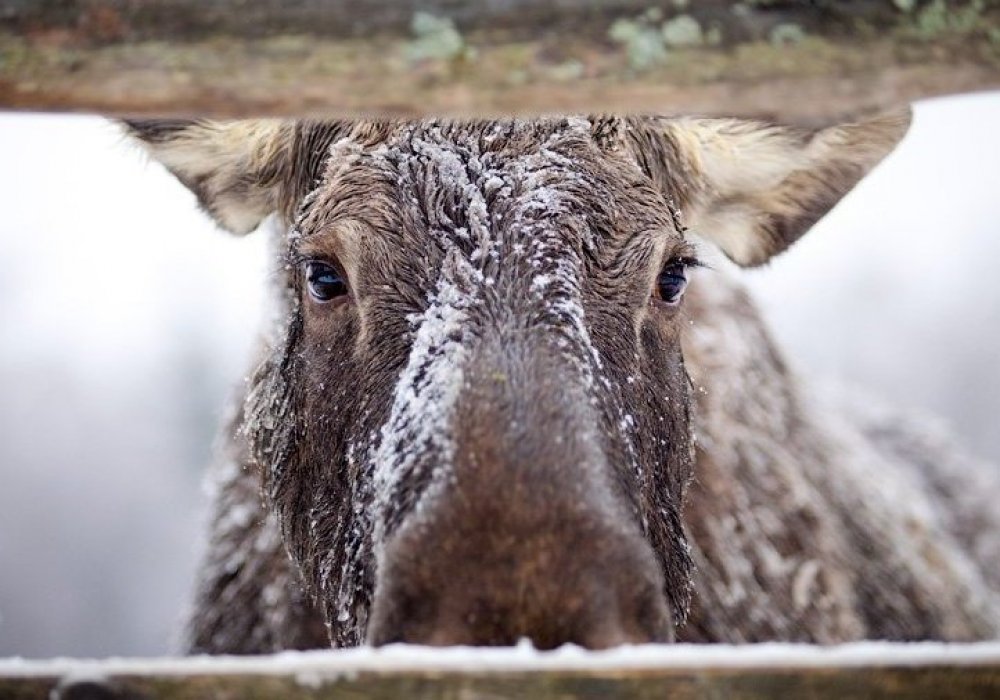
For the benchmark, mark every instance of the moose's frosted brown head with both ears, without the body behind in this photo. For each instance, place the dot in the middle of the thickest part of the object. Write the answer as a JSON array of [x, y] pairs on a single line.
[[476, 424]]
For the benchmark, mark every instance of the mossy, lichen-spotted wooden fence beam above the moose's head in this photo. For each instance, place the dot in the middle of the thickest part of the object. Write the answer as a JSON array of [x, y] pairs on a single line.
[[809, 61]]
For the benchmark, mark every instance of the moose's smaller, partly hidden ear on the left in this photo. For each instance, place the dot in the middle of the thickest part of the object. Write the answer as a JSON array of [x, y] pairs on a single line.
[[237, 169]]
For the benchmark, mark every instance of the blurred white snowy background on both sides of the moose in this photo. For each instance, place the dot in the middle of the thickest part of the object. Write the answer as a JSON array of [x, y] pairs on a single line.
[[126, 319]]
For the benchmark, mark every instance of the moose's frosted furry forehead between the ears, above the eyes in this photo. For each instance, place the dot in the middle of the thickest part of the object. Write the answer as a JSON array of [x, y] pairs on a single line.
[[530, 194]]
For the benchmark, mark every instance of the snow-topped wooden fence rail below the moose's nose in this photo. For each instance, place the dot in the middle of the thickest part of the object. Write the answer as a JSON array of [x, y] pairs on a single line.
[[863, 671]]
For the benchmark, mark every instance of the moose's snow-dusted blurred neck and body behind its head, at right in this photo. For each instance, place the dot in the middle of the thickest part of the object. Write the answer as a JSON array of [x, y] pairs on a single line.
[[819, 518]]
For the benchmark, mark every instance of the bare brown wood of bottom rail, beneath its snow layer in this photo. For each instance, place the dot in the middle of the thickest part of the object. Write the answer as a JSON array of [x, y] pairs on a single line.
[[836, 684]]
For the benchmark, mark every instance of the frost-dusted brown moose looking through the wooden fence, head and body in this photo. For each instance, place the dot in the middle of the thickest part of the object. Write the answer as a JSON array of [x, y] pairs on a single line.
[[504, 399]]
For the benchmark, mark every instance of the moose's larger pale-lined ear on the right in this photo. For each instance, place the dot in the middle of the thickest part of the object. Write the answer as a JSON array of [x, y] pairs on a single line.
[[755, 188]]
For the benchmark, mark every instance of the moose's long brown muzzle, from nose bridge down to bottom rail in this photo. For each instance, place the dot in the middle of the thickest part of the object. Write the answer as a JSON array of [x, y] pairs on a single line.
[[527, 536]]
